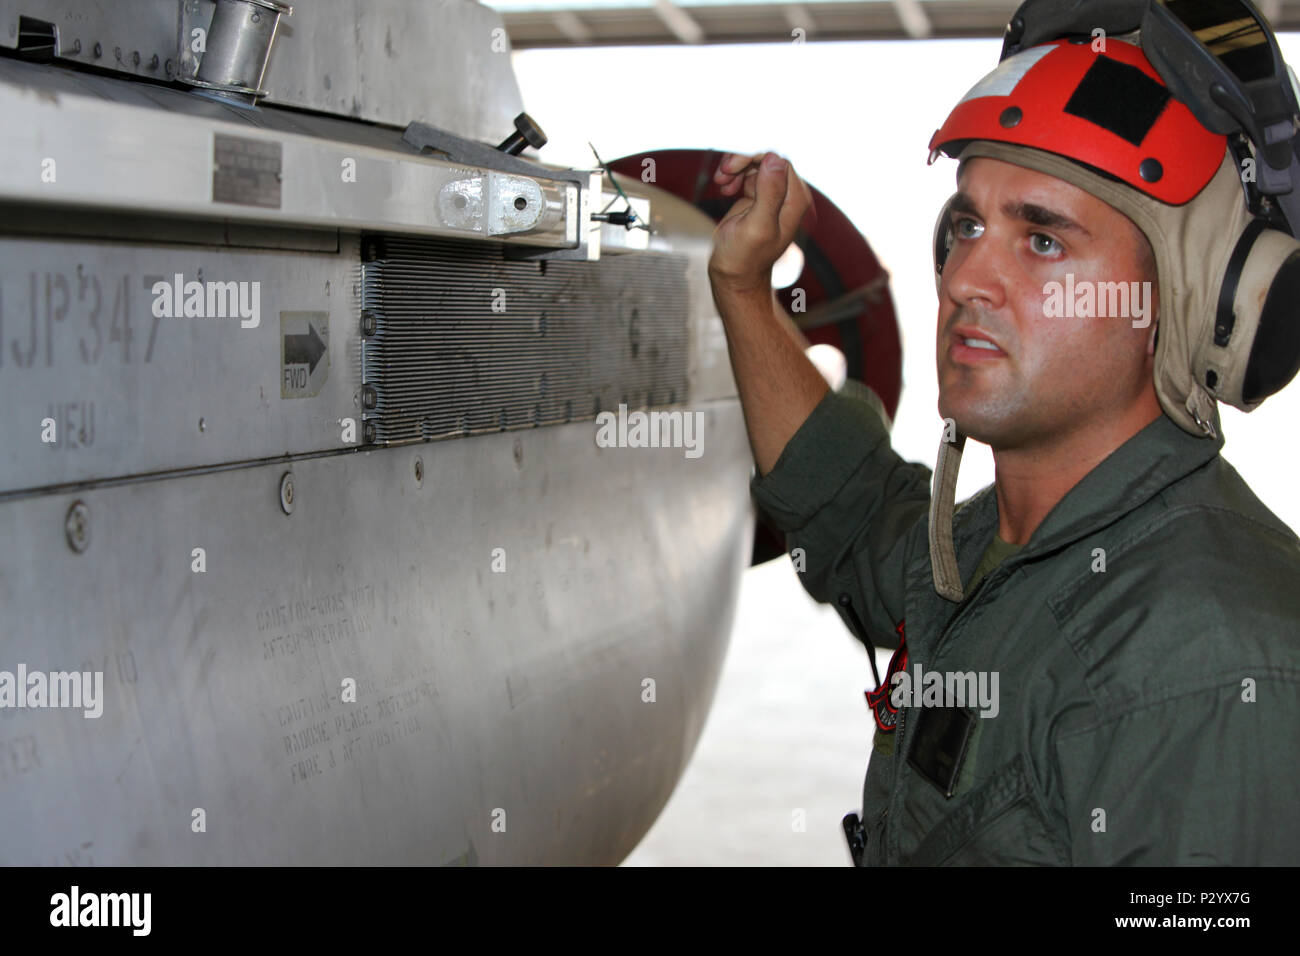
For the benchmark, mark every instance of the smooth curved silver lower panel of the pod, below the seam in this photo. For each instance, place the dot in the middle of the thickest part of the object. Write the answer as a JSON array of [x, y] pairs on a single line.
[[500, 717]]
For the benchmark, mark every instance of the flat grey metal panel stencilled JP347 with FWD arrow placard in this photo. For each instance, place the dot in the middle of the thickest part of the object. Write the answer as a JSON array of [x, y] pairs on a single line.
[[135, 393]]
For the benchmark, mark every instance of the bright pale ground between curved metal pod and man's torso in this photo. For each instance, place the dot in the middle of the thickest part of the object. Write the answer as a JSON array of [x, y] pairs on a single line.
[[785, 751]]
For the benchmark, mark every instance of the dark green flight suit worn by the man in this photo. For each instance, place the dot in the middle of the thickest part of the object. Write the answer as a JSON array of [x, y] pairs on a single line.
[[1147, 713]]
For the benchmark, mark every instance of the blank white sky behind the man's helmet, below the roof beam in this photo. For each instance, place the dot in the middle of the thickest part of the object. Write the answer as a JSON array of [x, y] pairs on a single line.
[[855, 119]]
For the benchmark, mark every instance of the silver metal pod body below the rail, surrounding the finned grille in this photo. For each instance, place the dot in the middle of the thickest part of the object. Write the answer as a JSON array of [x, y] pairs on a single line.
[[534, 621]]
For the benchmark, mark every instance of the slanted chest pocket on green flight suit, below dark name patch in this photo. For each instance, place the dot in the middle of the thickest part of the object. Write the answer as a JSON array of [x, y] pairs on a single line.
[[999, 824]]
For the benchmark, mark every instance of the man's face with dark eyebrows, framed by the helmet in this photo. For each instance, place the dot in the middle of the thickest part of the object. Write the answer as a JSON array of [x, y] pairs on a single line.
[[1016, 232]]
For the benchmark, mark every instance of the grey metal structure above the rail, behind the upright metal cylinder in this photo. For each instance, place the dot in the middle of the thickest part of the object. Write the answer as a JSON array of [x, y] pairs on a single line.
[[391, 62]]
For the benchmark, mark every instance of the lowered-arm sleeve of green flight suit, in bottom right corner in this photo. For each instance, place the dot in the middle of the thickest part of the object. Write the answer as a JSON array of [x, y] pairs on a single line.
[[1208, 778]]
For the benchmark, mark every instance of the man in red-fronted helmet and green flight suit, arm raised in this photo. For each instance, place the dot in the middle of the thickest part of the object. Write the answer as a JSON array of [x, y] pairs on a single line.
[[1099, 656]]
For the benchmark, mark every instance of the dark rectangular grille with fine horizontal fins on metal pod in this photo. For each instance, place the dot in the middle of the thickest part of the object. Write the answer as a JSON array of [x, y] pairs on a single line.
[[574, 339]]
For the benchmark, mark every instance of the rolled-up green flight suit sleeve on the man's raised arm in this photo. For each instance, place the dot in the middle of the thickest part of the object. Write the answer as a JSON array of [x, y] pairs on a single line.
[[848, 507]]
